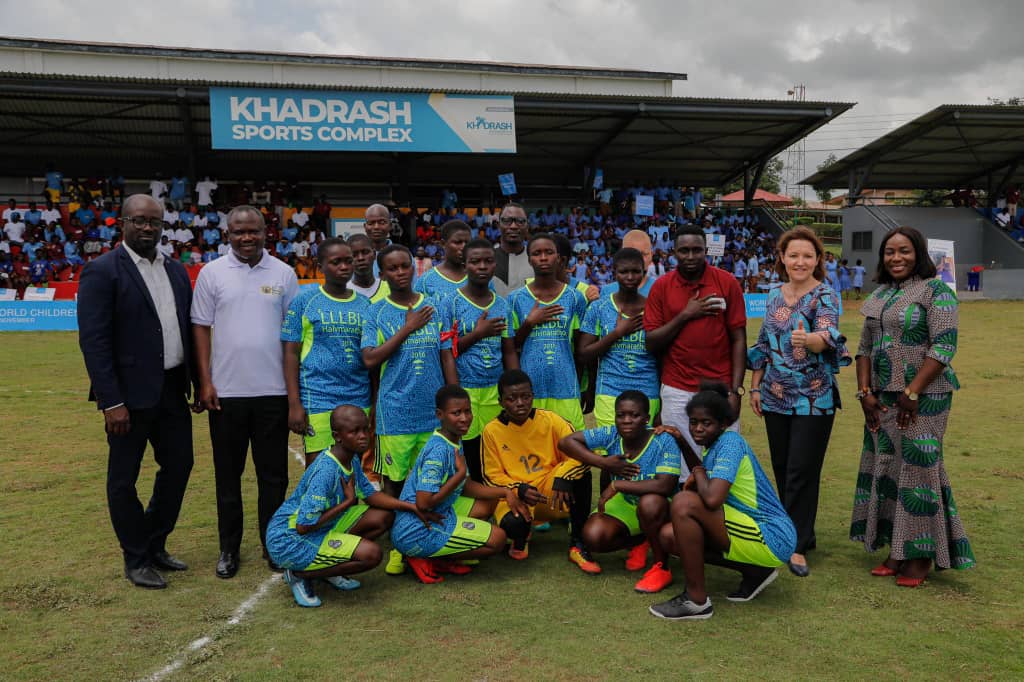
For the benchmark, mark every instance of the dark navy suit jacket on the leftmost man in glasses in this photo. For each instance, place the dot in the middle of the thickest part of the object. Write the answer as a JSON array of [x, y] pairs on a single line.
[[120, 332]]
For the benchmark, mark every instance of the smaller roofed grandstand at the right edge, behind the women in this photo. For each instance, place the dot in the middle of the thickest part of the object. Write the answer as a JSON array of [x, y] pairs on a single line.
[[966, 165]]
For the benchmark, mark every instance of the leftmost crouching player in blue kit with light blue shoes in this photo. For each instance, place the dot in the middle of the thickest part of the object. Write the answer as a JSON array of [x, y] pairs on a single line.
[[326, 529]]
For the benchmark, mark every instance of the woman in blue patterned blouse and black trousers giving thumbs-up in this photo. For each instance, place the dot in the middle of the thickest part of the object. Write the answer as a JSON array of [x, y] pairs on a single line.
[[795, 361]]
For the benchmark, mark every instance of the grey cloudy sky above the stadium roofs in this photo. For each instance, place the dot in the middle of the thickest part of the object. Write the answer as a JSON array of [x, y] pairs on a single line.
[[898, 61]]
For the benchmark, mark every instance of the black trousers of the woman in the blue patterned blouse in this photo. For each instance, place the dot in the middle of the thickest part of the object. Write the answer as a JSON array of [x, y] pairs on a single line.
[[798, 447]]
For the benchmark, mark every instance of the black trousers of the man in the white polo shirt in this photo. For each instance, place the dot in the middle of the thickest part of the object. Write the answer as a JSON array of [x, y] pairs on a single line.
[[241, 422]]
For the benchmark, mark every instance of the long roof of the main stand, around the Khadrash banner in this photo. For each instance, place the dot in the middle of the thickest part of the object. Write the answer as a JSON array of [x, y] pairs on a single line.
[[91, 119]]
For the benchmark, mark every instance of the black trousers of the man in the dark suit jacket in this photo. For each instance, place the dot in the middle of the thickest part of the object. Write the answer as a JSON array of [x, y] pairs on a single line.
[[168, 429]]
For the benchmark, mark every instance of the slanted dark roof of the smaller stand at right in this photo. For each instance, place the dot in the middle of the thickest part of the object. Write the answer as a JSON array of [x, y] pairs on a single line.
[[952, 147]]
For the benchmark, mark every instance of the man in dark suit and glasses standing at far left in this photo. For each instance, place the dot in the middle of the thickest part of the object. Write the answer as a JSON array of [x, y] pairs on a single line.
[[135, 334]]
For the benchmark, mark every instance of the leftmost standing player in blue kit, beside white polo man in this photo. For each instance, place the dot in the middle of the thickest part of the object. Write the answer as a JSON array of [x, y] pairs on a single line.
[[323, 333]]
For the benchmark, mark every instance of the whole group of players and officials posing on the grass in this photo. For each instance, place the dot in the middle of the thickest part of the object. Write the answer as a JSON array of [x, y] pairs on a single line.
[[450, 411]]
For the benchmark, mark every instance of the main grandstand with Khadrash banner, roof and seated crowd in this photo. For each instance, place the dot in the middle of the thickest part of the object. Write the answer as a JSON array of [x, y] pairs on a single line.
[[86, 124]]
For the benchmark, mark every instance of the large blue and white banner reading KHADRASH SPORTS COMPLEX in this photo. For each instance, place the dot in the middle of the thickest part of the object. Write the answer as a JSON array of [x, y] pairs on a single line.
[[351, 121]]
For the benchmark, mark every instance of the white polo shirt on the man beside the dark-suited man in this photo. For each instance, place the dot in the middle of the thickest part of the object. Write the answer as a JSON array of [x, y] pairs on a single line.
[[246, 308]]
